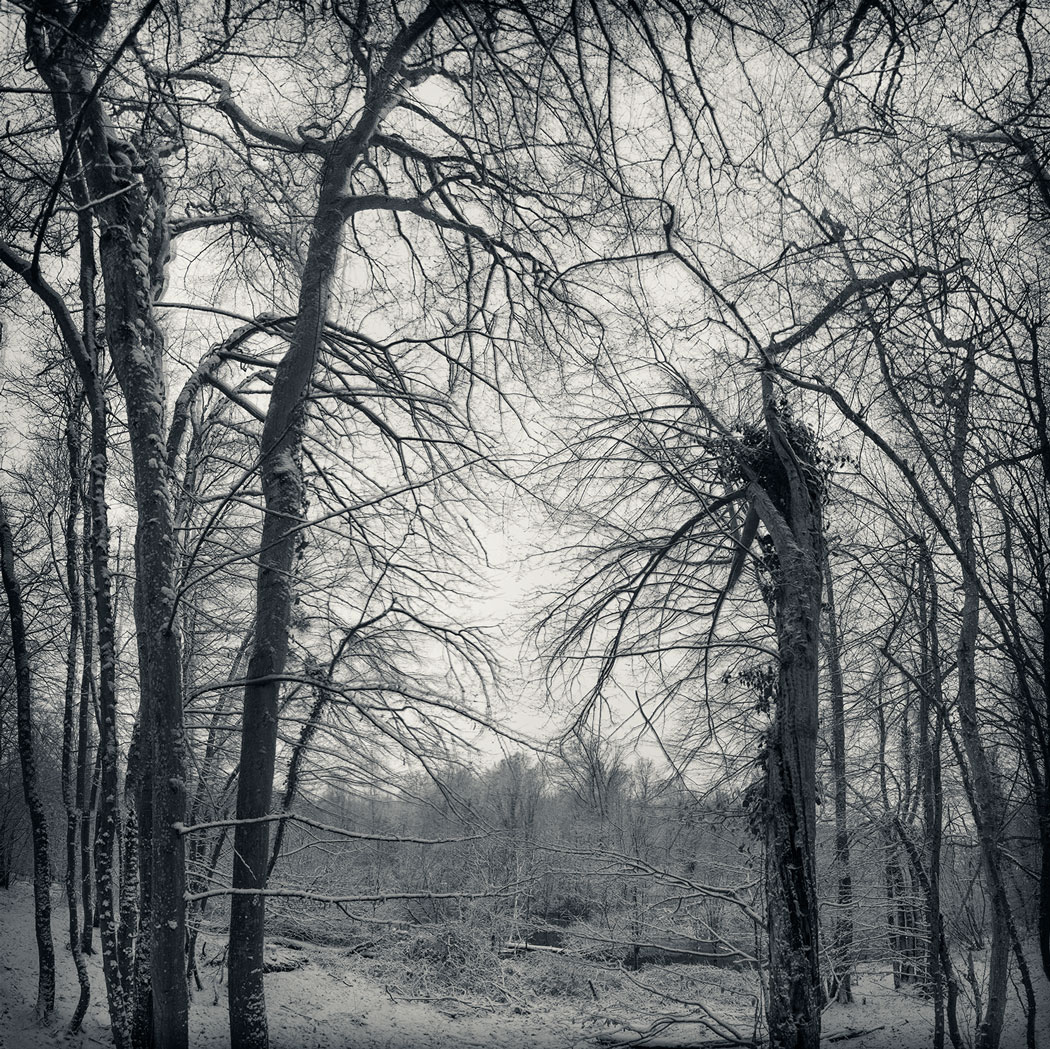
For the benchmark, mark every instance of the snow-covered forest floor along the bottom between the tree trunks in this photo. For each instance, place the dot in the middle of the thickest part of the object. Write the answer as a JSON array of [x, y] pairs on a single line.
[[337, 1002]]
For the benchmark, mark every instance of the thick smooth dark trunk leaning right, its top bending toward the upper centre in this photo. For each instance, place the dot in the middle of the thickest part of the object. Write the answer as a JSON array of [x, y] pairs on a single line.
[[283, 492]]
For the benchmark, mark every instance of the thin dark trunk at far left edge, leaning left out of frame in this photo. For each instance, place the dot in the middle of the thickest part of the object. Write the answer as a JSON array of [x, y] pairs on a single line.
[[27, 752]]
